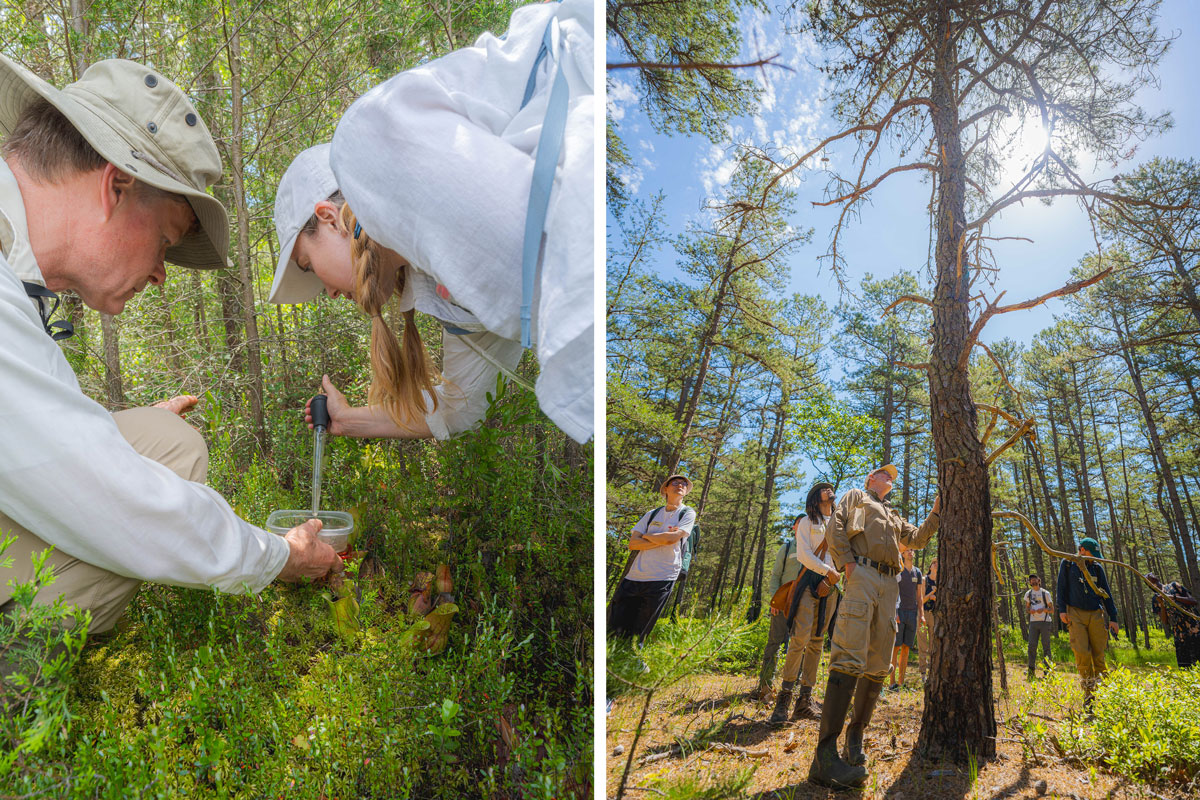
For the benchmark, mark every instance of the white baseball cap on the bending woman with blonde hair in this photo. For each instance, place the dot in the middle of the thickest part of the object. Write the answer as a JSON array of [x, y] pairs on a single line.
[[308, 182]]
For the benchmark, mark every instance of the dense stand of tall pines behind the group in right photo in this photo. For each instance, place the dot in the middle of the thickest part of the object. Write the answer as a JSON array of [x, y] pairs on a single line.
[[718, 371]]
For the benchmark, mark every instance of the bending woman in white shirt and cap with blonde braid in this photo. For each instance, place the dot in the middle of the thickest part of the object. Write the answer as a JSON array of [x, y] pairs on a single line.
[[430, 194]]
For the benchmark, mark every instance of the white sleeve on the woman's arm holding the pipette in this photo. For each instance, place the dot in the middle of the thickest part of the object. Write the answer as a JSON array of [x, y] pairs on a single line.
[[467, 380]]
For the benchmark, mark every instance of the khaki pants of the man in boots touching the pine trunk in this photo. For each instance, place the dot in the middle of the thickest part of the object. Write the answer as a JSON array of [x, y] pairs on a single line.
[[867, 625]]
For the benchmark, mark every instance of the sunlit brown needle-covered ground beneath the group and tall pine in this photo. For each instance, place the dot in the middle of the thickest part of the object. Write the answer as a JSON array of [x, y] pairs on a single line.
[[707, 713]]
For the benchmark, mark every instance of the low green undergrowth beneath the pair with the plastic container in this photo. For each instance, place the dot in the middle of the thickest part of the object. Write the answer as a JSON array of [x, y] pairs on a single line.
[[201, 695]]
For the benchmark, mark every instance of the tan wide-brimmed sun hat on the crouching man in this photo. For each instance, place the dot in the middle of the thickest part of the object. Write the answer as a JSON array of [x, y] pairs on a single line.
[[145, 125]]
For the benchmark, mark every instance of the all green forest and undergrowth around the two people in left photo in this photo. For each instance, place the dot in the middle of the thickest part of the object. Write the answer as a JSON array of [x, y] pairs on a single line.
[[255, 697]]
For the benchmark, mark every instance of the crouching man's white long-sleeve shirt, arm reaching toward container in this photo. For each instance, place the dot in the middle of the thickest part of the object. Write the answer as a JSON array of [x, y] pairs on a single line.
[[68, 476]]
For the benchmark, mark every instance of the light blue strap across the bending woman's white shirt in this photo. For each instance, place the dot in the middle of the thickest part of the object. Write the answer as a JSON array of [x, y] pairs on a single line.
[[550, 145]]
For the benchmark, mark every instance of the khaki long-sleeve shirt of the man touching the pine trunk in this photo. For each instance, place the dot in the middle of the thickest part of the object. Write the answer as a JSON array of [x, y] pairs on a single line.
[[863, 525]]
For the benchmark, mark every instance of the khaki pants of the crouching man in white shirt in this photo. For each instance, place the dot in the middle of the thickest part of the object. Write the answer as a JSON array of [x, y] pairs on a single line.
[[154, 432]]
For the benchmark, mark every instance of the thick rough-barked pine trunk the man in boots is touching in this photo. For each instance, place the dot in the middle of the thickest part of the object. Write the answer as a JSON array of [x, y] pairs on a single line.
[[959, 718]]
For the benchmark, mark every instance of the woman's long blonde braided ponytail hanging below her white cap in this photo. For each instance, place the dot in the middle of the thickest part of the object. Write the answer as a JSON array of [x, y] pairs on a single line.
[[401, 374]]
